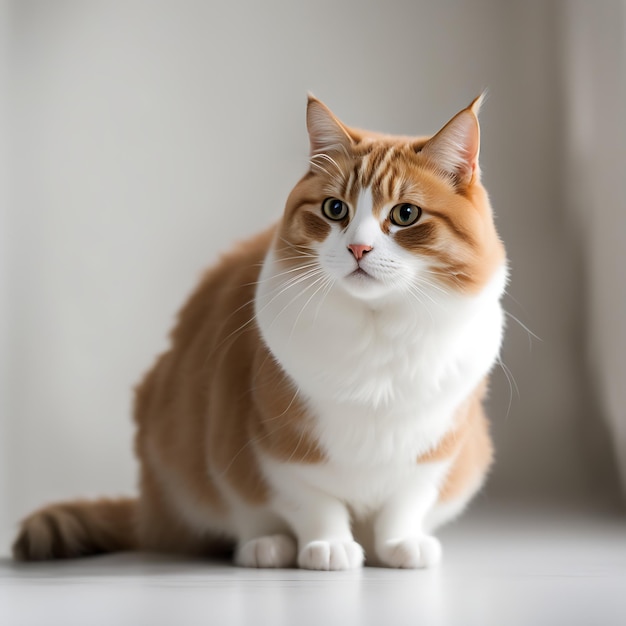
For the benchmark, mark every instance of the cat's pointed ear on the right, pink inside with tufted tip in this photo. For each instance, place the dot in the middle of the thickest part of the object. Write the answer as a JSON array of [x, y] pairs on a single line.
[[454, 149]]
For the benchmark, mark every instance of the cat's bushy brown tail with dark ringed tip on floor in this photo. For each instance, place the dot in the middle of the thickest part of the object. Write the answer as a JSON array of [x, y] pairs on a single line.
[[74, 529]]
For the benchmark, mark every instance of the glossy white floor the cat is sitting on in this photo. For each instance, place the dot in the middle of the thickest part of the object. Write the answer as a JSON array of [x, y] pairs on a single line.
[[503, 565]]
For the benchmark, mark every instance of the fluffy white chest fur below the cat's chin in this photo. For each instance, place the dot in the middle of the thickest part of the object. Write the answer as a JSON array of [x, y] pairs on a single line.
[[383, 381]]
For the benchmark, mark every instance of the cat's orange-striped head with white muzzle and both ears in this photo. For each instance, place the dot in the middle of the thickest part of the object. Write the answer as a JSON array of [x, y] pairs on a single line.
[[383, 215]]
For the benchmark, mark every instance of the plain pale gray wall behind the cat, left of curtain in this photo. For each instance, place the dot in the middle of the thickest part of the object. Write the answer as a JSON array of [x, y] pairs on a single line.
[[146, 136]]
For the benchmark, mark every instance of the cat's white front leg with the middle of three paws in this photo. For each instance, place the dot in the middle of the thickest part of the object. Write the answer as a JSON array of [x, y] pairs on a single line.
[[321, 524]]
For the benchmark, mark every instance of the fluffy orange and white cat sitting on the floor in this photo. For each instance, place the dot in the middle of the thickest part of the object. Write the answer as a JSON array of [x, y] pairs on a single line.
[[321, 403]]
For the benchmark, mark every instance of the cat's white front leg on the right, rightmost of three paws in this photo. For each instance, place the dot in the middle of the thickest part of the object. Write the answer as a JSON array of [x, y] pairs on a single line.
[[398, 529]]
